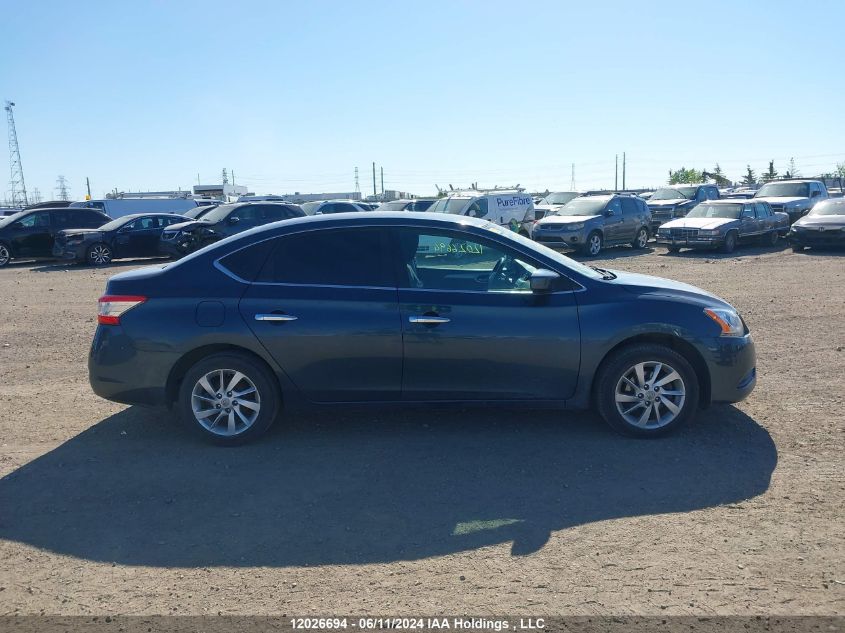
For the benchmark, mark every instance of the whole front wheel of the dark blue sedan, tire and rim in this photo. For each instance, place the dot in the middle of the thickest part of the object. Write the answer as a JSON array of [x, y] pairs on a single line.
[[646, 391]]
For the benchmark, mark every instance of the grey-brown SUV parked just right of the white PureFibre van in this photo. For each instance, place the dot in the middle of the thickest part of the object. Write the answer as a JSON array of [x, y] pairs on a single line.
[[590, 223]]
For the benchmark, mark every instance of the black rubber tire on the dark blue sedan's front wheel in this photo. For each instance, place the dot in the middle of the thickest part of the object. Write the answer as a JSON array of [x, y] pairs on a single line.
[[611, 375]]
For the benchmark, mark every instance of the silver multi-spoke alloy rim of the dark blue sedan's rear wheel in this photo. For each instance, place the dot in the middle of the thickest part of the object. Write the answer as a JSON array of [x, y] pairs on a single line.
[[225, 402]]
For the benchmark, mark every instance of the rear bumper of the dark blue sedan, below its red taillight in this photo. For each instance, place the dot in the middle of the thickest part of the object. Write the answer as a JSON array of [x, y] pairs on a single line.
[[118, 371]]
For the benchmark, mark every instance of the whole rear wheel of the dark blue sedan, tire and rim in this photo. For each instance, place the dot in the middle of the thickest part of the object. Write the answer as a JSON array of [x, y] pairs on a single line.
[[229, 399]]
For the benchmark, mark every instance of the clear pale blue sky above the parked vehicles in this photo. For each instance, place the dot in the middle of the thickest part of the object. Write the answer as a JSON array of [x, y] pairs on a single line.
[[293, 96]]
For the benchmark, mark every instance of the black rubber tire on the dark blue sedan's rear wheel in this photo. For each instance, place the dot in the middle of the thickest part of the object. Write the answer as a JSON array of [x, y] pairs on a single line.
[[267, 396]]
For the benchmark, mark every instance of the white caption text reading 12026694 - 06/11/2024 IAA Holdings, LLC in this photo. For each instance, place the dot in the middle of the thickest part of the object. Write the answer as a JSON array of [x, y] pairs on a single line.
[[419, 624]]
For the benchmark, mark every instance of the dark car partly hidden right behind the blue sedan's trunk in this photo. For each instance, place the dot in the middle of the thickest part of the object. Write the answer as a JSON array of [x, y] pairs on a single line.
[[178, 240]]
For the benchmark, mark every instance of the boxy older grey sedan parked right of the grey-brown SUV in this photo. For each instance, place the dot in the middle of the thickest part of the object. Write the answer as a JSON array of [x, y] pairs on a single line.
[[724, 224]]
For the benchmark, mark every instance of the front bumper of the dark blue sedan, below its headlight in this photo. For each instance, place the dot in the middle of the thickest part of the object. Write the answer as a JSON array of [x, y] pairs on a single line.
[[732, 364]]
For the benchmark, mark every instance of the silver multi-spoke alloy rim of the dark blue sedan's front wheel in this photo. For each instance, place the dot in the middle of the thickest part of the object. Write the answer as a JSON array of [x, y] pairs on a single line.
[[650, 395]]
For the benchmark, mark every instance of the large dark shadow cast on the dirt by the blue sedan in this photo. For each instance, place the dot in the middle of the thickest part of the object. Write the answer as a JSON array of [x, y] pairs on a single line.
[[367, 487]]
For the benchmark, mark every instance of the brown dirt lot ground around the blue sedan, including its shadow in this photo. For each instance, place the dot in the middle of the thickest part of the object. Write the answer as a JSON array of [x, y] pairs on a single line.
[[106, 509]]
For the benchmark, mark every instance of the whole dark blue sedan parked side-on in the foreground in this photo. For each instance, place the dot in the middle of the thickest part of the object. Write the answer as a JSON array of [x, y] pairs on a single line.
[[402, 308]]
